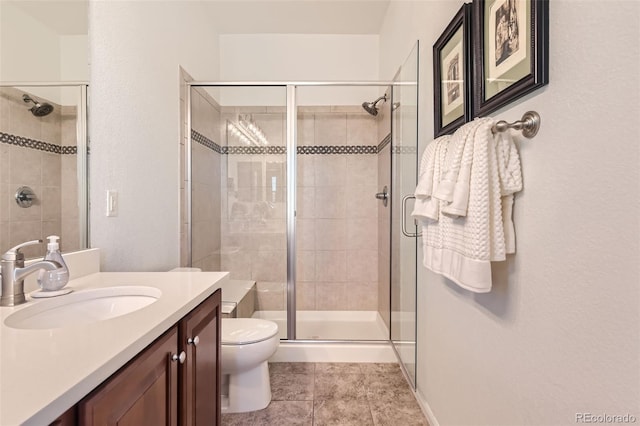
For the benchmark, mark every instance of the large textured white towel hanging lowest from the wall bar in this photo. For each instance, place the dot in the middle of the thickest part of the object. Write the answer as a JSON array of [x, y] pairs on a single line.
[[462, 248]]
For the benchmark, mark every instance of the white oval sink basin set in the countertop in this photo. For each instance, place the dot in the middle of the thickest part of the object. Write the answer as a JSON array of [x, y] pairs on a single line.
[[83, 307]]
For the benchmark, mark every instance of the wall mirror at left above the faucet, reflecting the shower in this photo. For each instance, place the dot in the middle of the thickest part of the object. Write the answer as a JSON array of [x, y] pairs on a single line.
[[43, 148]]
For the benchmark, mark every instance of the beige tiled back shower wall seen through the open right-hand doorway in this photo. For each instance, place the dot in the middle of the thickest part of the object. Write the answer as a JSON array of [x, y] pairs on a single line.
[[337, 229]]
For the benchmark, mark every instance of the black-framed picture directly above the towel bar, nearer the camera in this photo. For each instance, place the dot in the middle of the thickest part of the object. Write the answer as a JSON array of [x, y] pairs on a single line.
[[510, 49]]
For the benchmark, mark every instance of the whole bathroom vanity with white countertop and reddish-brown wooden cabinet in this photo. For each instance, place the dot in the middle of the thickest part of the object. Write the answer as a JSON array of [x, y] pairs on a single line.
[[128, 367]]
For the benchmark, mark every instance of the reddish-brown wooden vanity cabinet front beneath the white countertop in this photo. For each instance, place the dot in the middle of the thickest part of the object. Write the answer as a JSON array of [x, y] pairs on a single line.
[[156, 388]]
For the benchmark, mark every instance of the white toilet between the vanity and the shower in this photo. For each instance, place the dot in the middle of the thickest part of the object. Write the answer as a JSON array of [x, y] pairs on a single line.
[[247, 344]]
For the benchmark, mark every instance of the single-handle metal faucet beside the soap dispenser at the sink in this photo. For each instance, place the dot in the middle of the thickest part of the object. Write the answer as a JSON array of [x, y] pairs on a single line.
[[14, 272]]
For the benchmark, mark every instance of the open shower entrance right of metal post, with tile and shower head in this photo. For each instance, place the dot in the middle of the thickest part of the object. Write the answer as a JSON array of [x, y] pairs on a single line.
[[337, 281]]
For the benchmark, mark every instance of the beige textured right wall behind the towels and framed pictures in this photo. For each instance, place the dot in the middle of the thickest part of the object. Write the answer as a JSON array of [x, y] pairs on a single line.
[[558, 335]]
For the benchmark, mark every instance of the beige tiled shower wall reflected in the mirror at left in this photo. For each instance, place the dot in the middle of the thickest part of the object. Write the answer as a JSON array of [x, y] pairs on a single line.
[[39, 152]]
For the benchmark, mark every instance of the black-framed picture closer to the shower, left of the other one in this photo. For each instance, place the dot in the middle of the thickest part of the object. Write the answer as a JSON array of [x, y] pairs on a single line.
[[452, 74]]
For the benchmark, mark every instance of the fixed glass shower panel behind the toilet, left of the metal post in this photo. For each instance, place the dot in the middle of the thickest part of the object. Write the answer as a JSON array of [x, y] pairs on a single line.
[[239, 194]]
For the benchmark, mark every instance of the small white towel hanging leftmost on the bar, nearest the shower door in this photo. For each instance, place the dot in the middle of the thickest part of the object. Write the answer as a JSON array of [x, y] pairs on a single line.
[[427, 207]]
